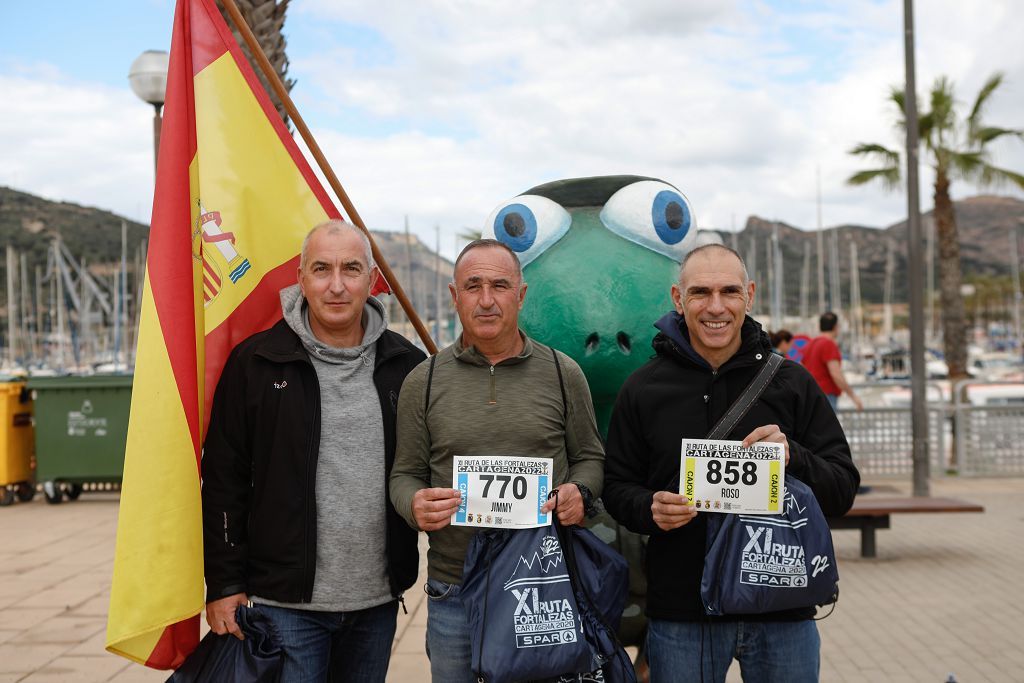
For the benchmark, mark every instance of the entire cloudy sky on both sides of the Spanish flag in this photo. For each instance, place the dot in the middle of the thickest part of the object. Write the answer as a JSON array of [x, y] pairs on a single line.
[[440, 110]]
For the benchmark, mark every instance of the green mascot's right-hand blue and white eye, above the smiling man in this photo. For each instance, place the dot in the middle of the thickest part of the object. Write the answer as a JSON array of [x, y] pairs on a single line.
[[653, 215]]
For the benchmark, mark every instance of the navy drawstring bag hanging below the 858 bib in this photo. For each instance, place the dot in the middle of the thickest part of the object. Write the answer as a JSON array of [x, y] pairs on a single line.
[[765, 564]]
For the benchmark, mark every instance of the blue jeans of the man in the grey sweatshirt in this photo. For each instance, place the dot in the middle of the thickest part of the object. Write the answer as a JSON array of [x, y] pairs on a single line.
[[354, 647]]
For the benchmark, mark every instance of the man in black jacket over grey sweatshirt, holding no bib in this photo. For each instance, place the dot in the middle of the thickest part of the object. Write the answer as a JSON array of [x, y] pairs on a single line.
[[296, 517]]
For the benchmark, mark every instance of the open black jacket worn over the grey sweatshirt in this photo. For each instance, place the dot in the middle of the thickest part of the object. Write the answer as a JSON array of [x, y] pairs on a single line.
[[260, 468]]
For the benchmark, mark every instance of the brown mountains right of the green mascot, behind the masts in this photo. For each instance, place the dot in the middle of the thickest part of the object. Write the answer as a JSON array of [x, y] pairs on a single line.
[[985, 225]]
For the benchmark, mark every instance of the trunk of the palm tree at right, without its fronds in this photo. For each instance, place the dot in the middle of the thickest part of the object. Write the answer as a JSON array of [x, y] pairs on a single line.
[[954, 331]]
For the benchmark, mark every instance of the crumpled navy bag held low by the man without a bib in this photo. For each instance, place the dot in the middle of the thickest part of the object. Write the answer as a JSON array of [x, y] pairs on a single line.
[[225, 659]]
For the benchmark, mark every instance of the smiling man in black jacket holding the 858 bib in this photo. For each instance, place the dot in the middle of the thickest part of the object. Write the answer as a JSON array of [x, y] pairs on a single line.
[[707, 353]]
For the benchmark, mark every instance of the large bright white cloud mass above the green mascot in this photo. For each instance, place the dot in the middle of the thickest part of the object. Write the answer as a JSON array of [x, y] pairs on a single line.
[[721, 100]]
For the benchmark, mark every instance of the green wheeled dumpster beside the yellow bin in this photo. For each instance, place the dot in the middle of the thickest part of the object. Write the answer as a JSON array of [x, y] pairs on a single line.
[[81, 431]]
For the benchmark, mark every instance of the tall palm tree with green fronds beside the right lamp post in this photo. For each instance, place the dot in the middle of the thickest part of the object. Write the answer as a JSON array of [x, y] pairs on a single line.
[[956, 149]]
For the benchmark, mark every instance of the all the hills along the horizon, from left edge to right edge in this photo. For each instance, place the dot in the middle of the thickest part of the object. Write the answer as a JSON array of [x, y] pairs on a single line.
[[28, 224]]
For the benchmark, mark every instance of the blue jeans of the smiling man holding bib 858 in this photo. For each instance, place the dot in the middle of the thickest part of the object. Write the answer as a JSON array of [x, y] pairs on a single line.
[[767, 652]]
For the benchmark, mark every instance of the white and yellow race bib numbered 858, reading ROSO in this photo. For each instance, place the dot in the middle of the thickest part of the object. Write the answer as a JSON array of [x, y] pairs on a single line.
[[723, 477]]
